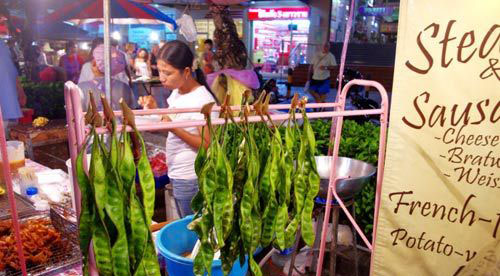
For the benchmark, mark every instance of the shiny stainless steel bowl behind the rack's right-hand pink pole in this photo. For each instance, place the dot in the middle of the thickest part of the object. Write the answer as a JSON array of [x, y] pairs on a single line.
[[355, 173]]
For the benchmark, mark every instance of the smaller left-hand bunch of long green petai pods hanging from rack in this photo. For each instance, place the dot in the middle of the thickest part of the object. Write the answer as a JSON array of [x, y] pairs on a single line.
[[114, 219]]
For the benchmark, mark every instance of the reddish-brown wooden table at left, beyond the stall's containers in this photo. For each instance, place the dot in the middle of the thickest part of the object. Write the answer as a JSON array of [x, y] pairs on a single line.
[[54, 132]]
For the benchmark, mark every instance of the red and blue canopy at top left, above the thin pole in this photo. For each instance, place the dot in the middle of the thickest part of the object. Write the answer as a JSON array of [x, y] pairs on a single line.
[[122, 12]]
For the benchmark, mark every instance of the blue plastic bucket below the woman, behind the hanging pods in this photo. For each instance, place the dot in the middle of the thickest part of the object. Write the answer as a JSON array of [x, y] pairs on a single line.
[[175, 239]]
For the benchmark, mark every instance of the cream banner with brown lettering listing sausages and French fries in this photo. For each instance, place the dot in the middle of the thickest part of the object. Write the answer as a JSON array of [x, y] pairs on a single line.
[[440, 211]]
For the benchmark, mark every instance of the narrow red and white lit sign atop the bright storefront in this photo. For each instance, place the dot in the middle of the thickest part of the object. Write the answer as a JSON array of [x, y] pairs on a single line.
[[278, 13]]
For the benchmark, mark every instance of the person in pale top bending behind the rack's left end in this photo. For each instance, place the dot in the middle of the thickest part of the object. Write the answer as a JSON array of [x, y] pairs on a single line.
[[96, 85]]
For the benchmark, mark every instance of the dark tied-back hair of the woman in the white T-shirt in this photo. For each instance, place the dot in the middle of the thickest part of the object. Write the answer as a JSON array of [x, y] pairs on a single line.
[[179, 55]]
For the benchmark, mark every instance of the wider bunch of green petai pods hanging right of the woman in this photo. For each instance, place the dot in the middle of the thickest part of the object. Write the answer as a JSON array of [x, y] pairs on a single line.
[[254, 189]]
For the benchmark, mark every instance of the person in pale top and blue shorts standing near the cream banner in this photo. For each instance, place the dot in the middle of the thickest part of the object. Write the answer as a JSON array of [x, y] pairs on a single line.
[[321, 65]]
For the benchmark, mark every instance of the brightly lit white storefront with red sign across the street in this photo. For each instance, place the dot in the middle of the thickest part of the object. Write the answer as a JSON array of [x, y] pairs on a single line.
[[275, 32]]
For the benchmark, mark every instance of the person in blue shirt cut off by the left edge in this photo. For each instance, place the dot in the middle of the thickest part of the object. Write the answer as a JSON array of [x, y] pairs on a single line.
[[12, 96]]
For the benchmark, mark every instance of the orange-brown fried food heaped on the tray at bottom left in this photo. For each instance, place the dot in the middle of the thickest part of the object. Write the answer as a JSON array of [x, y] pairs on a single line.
[[40, 241]]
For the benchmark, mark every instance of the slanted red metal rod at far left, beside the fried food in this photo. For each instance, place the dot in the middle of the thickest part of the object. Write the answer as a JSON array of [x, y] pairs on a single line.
[[12, 199]]
